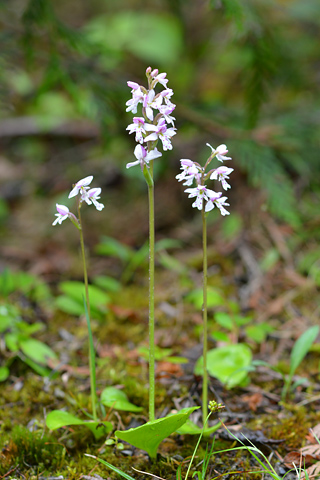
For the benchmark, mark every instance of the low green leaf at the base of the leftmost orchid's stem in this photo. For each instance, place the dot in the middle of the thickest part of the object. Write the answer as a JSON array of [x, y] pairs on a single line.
[[59, 418]]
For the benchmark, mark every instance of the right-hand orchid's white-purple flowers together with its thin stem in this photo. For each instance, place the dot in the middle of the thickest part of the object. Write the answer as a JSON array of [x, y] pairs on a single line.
[[205, 201]]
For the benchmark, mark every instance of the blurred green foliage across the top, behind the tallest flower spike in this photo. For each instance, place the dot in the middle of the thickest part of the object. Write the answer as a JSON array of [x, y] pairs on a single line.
[[244, 73]]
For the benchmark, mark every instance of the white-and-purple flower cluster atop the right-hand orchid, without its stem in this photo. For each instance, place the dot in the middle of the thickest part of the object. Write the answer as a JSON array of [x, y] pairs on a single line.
[[192, 171]]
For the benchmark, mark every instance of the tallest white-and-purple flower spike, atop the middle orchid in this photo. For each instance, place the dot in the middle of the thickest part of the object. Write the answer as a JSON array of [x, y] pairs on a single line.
[[154, 124]]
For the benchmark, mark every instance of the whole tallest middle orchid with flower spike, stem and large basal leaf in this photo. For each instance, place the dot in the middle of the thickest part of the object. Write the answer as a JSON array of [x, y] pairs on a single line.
[[156, 123]]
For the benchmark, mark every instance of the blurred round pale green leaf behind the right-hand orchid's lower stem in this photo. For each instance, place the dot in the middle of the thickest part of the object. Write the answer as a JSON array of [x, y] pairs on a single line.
[[228, 364]]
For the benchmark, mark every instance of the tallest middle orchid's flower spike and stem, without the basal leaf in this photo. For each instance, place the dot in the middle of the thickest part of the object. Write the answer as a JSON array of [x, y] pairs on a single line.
[[151, 127]]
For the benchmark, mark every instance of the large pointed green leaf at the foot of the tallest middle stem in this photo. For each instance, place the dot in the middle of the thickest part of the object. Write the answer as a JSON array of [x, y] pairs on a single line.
[[149, 436]]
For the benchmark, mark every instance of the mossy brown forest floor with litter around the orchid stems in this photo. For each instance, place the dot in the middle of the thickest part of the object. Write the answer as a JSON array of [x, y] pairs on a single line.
[[260, 269]]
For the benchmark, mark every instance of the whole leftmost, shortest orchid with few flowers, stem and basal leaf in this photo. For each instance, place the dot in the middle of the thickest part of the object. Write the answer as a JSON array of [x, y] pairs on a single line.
[[90, 196]]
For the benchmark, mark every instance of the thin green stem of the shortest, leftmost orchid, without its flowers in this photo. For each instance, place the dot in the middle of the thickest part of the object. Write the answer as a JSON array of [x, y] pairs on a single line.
[[87, 311]]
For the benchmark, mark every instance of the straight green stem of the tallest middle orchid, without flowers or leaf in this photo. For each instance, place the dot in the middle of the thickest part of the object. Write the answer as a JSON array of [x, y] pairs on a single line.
[[151, 303]]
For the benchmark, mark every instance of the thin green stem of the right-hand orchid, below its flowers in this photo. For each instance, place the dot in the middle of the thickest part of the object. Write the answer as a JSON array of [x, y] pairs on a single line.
[[205, 318]]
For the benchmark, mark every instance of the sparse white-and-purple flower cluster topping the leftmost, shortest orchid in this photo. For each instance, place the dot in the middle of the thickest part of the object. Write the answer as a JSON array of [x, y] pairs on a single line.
[[87, 194]]
